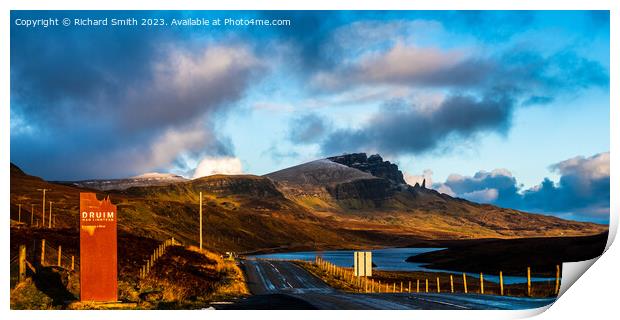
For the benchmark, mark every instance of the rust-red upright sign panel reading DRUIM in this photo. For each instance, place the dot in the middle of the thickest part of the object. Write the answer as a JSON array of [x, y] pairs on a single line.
[[98, 263]]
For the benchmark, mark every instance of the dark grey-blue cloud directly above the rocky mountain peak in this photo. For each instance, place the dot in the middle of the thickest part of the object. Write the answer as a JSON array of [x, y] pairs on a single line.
[[401, 128]]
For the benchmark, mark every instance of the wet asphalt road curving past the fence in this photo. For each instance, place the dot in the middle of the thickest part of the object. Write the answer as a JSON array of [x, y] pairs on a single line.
[[284, 285]]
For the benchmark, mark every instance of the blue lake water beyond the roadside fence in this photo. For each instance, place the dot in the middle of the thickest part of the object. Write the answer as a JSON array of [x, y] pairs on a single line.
[[389, 259]]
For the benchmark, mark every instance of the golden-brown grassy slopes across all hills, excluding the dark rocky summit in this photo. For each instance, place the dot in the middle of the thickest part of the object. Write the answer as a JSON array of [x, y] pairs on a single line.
[[249, 213]]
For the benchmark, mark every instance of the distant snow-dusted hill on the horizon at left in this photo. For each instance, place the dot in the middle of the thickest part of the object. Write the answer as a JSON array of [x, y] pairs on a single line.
[[144, 180]]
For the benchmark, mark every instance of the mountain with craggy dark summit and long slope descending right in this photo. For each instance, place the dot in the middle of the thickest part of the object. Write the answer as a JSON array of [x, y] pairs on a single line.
[[368, 192]]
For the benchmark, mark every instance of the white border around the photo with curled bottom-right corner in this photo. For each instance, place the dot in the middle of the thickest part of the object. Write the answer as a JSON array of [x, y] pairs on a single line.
[[595, 294]]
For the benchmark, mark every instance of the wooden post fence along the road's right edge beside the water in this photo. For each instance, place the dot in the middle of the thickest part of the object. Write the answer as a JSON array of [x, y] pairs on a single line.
[[369, 285]]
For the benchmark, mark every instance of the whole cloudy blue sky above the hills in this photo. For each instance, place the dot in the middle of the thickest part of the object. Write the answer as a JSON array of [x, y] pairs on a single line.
[[500, 107]]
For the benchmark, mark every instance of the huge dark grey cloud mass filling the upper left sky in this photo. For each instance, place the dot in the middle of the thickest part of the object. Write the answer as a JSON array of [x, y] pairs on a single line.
[[128, 101]]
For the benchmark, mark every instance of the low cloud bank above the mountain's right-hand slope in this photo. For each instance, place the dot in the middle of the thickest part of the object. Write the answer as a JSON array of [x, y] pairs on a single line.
[[582, 192]]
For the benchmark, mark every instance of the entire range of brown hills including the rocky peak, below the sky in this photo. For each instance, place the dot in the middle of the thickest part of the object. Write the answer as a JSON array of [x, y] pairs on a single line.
[[340, 202]]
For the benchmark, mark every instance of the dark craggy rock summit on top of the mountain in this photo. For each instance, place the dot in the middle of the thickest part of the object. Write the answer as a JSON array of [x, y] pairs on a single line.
[[373, 165]]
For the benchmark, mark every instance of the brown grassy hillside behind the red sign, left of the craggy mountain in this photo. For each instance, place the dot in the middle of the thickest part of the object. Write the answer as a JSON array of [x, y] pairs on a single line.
[[241, 213]]
